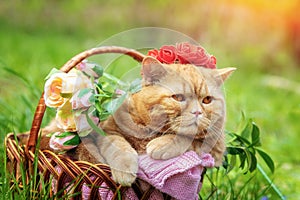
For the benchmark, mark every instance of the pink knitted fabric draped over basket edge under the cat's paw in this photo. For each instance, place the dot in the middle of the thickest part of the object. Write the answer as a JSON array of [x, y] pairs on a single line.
[[178, 177]]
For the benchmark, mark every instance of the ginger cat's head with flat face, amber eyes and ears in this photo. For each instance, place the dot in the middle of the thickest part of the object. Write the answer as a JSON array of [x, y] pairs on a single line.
[[182, 99]]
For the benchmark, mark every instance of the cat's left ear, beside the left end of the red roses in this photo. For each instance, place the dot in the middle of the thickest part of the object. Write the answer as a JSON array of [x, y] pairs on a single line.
[[152, 70]]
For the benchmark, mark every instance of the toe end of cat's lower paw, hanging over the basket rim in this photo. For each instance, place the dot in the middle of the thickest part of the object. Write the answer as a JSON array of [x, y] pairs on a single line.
[[123, 178]]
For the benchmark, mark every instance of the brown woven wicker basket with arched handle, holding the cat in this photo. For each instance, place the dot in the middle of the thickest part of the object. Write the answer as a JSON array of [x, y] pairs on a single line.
[[49, 162]]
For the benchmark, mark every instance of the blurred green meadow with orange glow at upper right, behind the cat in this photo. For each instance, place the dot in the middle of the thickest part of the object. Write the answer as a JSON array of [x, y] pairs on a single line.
[[259, 37]]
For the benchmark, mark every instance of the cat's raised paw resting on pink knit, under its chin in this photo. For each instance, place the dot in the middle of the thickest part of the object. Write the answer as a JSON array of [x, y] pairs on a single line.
[[161, 149]]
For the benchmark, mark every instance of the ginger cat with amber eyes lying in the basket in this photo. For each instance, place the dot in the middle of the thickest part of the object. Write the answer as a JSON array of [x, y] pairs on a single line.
[[180, 107]]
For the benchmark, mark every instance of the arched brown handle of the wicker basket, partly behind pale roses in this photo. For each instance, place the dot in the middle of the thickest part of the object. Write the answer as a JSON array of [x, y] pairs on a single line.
[[40, 110]]
